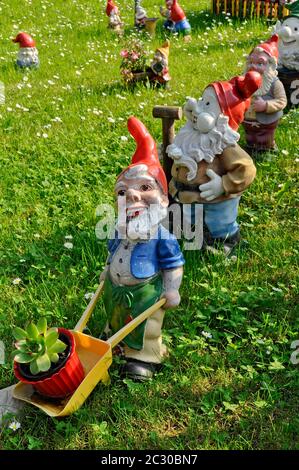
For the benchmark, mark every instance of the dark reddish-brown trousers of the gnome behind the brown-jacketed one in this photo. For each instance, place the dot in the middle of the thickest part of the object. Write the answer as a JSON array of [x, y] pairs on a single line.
[[260, 137]]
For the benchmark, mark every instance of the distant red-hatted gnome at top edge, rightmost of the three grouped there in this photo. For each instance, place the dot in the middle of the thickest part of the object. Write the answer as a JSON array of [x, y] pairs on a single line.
[[176, 19]]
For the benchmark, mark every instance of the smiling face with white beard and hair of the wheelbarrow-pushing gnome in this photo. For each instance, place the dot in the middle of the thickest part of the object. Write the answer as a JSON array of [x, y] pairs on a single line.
[[141, 202]]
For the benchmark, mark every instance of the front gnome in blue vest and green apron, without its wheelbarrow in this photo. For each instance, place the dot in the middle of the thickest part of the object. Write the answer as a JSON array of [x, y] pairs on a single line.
[[145, 261]]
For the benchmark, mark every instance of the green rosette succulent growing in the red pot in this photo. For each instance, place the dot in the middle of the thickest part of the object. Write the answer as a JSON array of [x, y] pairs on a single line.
[[37, 346]]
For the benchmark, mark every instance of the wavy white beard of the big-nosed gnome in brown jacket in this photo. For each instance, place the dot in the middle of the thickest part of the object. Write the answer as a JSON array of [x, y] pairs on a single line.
[[191, 146]]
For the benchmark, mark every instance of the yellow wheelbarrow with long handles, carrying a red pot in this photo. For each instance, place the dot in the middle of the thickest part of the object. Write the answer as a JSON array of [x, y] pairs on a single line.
[[96, 358]]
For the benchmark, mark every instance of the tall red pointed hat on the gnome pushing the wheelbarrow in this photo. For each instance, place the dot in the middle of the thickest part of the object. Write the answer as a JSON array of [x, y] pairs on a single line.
[[146, 153]]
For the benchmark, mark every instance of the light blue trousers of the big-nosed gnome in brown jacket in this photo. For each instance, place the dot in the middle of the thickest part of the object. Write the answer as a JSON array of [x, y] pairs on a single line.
[[220, 217]]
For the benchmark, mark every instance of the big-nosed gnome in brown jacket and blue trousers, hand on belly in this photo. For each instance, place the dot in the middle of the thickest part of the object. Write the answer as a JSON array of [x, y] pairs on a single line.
[[209, 167]]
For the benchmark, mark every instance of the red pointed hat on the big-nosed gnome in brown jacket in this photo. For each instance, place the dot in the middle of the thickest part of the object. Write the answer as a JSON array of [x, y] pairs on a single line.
[[234, 96]]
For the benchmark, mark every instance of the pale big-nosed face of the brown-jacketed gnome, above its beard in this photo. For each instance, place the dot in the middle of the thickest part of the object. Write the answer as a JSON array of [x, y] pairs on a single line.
[[203, 114]]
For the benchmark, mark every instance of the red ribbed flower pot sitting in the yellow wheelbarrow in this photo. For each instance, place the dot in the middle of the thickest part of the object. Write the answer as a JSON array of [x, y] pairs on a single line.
[[61, 381]]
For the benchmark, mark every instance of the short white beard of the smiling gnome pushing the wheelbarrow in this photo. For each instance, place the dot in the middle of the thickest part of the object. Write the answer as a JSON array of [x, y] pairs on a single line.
[[143, 226]]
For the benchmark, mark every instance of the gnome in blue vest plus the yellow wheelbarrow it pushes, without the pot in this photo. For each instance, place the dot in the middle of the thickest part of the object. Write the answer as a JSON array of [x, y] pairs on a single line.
[[140, 281]]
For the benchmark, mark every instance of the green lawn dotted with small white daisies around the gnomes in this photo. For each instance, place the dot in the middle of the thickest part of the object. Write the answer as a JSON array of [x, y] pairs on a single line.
[[237, 390]]
